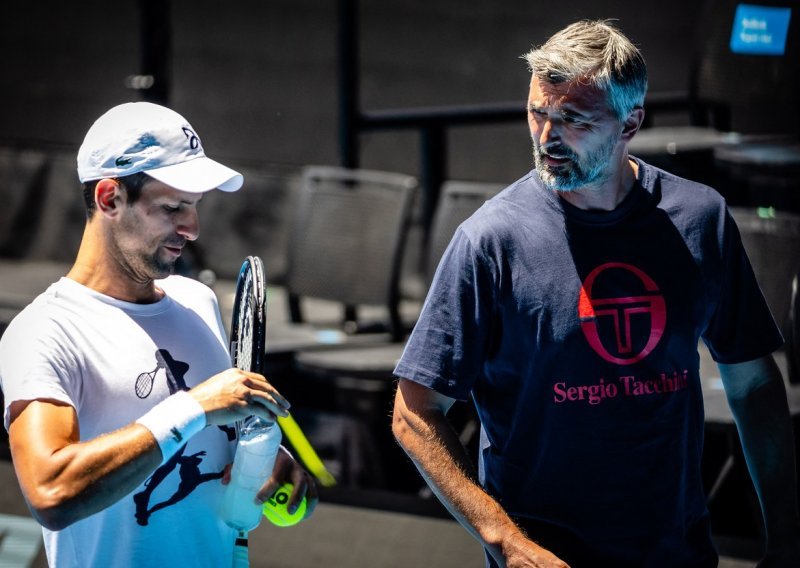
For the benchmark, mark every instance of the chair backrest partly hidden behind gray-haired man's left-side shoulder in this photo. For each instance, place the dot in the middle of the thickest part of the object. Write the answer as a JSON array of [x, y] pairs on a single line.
[[459, 200]]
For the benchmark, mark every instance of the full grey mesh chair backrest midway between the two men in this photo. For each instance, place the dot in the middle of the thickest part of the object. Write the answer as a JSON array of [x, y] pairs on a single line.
[[346, 239]]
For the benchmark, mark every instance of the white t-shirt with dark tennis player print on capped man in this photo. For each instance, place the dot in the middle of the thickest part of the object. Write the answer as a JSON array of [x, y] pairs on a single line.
[[113, 361]]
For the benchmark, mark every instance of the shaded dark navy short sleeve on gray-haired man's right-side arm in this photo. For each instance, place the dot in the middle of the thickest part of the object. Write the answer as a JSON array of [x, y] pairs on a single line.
[[742, 327]]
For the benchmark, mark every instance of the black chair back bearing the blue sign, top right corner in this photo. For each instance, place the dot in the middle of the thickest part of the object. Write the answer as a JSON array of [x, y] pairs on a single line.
[[724, 85]]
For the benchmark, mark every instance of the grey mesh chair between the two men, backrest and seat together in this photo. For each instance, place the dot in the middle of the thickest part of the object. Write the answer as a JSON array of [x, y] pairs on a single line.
[[345, 246]]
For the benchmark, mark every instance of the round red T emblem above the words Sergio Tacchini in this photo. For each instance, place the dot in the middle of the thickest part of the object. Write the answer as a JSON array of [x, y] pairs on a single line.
[[617, 315]]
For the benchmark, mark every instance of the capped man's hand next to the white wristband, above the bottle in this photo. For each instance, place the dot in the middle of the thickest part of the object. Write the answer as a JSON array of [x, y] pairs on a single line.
[[234, 394]]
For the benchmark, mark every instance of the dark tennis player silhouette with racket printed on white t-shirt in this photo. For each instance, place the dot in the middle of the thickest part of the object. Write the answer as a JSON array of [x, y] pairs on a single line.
[[188, 467]]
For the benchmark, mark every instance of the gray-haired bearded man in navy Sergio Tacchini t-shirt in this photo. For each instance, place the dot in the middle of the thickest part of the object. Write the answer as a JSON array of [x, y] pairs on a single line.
[[569, 308]]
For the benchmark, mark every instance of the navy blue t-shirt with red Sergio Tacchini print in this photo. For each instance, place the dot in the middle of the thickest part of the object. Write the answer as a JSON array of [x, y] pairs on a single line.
[[576, 334]]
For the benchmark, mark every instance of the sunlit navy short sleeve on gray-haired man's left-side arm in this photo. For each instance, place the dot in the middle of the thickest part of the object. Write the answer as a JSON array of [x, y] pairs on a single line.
[[447, 347]]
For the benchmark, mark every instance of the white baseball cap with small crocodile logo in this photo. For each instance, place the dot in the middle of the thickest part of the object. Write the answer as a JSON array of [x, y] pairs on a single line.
[[145, 137]]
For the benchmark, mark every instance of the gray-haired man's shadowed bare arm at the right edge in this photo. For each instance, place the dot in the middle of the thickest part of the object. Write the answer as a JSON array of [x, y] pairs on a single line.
[[757, 397]]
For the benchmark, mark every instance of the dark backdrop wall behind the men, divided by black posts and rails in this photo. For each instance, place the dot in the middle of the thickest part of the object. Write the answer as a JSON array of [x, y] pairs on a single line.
[[258, 79]]
